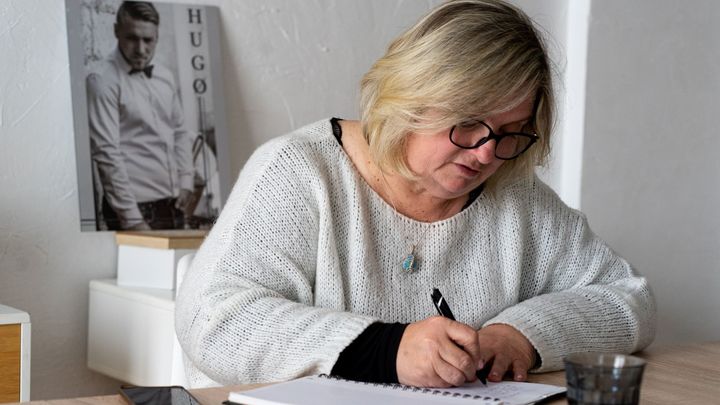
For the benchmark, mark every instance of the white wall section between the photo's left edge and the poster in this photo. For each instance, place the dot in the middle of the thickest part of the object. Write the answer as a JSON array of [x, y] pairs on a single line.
[[45, 262]]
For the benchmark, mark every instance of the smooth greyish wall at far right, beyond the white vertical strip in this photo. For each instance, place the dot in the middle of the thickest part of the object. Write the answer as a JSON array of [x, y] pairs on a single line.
[[651, 179]]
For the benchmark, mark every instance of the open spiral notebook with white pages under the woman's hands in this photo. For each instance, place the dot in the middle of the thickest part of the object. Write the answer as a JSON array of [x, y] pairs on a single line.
[[326, 390]]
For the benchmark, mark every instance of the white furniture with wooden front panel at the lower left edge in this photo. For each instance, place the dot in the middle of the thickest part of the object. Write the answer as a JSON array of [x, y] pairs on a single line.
[[14, 355]]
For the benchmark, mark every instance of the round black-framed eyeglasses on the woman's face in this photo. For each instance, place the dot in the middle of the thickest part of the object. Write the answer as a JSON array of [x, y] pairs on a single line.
[[473, 134]]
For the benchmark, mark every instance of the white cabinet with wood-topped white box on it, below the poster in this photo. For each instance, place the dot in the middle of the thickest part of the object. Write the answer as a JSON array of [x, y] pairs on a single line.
[[131, 319]]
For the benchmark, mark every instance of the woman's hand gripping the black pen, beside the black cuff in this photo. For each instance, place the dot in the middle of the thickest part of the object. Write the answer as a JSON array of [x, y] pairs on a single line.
[[437, 352]]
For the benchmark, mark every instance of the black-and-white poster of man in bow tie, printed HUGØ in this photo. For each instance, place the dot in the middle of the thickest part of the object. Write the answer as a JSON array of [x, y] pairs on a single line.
[[148, 114]]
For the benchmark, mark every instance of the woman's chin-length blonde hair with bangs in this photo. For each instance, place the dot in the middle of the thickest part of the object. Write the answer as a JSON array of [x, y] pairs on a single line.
[[466, 58]]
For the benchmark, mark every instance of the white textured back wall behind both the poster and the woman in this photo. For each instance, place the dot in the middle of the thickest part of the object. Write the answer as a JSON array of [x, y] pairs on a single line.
[[286, 63]]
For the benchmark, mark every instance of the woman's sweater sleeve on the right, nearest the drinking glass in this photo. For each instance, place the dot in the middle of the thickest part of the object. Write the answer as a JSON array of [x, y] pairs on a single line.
[[576, 294]]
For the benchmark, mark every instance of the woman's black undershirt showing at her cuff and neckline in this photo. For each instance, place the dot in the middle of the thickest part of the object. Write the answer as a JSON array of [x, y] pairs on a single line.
[[372, 355]]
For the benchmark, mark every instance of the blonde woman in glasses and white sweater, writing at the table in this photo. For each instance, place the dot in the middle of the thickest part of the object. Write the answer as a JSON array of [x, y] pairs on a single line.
[[326, 252]]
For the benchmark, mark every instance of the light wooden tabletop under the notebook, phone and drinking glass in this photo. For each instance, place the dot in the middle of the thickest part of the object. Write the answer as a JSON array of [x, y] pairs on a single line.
[[687, 374]]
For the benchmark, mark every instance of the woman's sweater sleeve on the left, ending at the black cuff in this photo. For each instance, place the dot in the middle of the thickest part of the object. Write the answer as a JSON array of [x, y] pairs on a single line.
[[247, 310]]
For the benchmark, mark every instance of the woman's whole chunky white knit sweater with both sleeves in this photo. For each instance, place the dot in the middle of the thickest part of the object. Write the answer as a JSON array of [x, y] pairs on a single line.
[[305, 256]]
